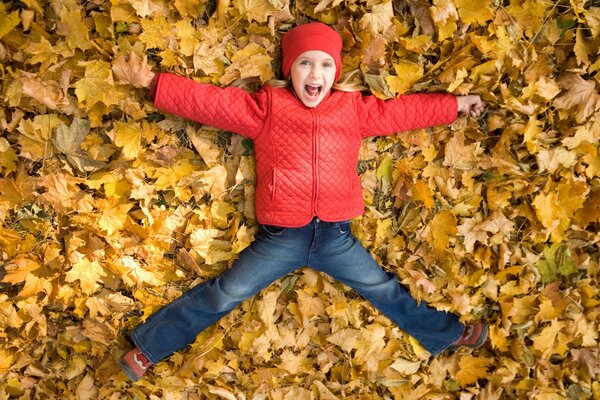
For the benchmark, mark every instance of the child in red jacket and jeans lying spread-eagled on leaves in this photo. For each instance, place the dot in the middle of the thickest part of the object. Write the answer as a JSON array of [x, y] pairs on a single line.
[[306, 141]]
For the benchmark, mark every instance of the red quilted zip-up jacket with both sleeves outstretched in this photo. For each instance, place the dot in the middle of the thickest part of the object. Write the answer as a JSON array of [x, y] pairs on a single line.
[[305, 157]]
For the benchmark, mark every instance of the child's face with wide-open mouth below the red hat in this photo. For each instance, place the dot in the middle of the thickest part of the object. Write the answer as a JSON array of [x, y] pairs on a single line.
[[313, 74]]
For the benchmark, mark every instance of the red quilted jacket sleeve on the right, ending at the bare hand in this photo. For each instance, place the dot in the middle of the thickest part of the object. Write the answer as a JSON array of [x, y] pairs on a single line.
[[405, 113]]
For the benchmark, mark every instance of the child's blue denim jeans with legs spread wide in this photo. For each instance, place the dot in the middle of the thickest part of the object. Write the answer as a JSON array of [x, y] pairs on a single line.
[[329, 247]]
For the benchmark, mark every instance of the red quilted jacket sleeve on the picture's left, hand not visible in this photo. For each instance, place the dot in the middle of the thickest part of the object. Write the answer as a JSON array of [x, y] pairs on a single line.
[[229, 108]]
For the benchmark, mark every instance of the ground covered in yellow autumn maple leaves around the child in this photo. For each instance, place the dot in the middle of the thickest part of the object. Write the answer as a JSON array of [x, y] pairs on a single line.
[[110, 209]]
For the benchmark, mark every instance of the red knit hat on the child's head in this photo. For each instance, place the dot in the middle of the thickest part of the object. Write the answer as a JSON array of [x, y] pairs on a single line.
[[312, 36]]
